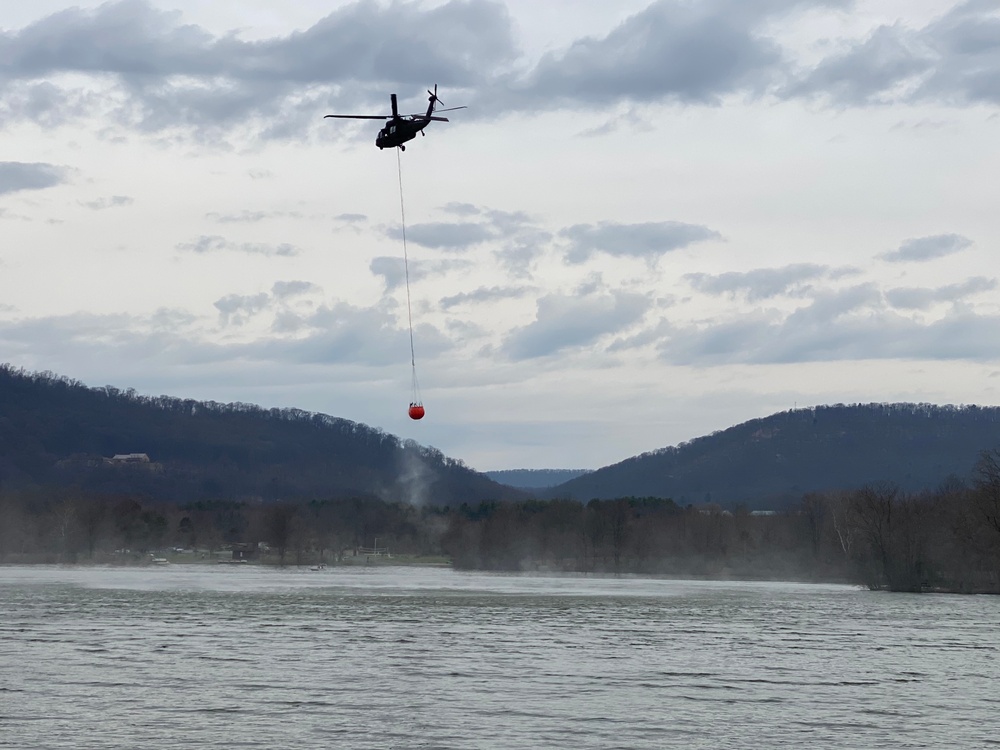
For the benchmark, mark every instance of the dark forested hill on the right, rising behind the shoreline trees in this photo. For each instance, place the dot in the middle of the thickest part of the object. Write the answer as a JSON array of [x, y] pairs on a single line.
[[766, 463]]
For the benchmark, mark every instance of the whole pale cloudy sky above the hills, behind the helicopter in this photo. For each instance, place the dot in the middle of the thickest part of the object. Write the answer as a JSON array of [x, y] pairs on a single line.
[[654, 220]]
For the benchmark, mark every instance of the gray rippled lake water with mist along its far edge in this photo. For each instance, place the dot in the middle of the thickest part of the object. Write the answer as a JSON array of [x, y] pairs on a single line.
[[200, 656]]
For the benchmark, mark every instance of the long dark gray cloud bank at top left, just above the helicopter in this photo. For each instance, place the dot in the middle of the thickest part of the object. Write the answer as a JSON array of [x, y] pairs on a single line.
[[158, 73]]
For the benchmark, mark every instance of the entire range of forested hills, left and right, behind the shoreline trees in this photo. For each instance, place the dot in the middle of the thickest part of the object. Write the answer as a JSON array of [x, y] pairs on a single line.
[[55, 431]]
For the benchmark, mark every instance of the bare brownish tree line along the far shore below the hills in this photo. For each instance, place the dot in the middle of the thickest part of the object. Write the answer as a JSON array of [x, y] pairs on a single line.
[[876, 535]]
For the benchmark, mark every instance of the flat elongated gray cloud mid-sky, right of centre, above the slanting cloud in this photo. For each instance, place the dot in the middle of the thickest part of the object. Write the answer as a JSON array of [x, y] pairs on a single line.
[[648, 240]]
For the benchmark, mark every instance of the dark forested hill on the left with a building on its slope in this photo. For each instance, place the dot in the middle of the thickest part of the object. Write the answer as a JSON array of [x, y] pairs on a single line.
[[57, 432]]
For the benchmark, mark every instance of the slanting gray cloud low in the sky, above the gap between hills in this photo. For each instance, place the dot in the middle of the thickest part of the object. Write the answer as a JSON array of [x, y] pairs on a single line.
[[573, 321]]
